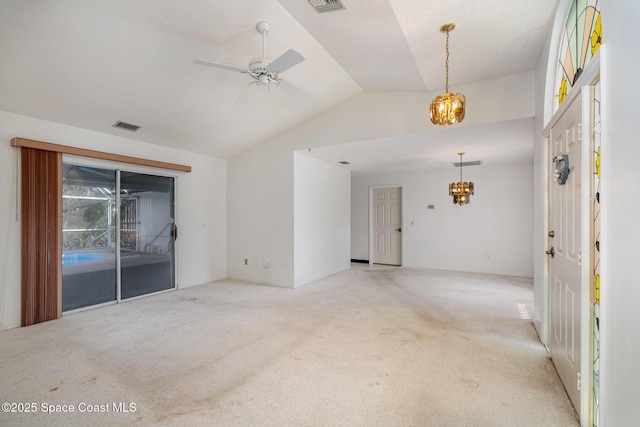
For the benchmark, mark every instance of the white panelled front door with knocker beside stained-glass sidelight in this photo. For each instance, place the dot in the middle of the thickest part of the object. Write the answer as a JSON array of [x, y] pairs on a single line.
[[565, 252]]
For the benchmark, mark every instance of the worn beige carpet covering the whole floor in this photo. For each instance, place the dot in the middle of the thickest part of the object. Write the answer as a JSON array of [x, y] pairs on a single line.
[[365, 347]]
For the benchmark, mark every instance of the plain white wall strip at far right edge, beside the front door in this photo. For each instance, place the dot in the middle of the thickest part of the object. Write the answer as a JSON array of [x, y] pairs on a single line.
[[620, 210]]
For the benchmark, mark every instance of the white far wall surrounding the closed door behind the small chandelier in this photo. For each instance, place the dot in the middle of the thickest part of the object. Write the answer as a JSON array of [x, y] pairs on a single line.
[[492, 234]]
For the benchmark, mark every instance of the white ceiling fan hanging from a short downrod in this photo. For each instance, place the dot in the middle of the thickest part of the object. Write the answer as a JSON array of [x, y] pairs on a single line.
[[264, 71]]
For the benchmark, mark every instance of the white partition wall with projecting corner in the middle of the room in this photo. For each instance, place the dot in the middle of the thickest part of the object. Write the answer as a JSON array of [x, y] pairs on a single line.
[[261, 215]]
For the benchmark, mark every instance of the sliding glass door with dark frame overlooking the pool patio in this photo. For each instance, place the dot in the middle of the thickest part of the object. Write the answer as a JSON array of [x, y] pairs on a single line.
[[118, 235]]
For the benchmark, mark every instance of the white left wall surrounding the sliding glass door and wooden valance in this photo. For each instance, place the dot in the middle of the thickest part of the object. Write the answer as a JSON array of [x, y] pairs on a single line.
[[201, 215]]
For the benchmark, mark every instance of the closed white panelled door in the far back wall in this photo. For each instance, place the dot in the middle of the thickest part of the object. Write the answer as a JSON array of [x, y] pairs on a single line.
[[387, 226]]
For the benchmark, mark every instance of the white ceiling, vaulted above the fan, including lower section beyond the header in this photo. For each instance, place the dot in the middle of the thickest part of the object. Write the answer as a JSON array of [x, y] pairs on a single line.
[[91, 63]]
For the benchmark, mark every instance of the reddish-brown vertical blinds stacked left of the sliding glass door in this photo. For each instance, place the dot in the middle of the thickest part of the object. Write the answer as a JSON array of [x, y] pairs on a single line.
[[41, 241]]
